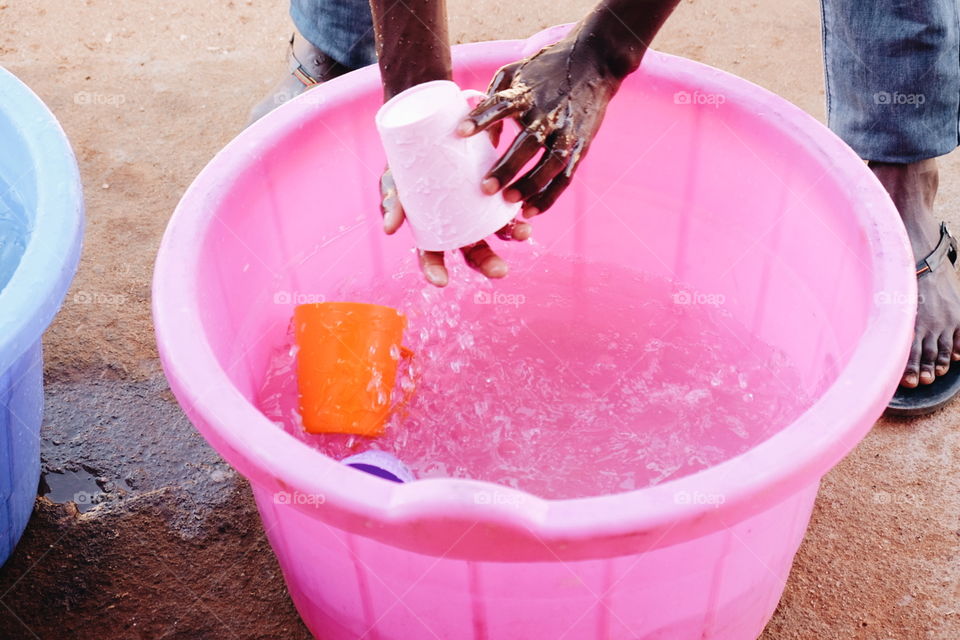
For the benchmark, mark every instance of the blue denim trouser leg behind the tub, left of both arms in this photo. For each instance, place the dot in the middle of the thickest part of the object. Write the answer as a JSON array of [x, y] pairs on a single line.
[[342, 29]]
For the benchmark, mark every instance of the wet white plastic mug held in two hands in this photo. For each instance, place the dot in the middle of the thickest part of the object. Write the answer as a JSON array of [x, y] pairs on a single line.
[[438, 172]]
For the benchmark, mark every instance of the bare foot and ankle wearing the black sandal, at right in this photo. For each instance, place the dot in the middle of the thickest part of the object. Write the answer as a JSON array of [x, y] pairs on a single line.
[[936, 342]]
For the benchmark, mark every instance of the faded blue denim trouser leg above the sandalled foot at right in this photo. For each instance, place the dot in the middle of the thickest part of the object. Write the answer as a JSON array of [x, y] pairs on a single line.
[[893, 76]]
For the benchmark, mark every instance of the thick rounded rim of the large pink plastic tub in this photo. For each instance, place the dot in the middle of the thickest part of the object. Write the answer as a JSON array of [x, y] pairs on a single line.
[[509, 524]]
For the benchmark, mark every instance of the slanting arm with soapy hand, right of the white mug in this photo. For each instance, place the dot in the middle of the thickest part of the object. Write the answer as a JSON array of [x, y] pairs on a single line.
[[559, 97]]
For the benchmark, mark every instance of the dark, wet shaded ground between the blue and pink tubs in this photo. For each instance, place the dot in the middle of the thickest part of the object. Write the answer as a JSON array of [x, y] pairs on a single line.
[[169, 545]]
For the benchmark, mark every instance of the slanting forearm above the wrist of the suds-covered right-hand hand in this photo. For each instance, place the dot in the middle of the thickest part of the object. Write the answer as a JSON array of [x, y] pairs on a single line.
[[620, 31]]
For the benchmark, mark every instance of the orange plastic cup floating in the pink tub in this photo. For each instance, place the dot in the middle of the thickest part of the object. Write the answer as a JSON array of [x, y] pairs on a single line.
[[347, 365]]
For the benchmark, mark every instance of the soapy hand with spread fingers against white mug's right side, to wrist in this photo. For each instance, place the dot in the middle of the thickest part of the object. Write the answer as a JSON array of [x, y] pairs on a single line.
[[558, 97]]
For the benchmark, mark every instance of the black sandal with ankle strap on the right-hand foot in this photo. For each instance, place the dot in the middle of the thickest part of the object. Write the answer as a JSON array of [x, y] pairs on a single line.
[[927, 398]]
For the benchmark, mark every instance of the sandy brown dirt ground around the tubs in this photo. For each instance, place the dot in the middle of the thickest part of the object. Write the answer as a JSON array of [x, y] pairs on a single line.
[[148, 91]]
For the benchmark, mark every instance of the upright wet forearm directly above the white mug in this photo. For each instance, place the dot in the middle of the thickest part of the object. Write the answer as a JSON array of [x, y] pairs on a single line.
[[411, 27]]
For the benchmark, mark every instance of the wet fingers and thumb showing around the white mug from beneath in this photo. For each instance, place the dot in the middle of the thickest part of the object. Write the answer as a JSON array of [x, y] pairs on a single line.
[[478, 255]]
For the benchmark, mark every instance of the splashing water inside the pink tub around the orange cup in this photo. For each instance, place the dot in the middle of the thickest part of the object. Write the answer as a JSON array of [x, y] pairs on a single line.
[[566, 379]]
